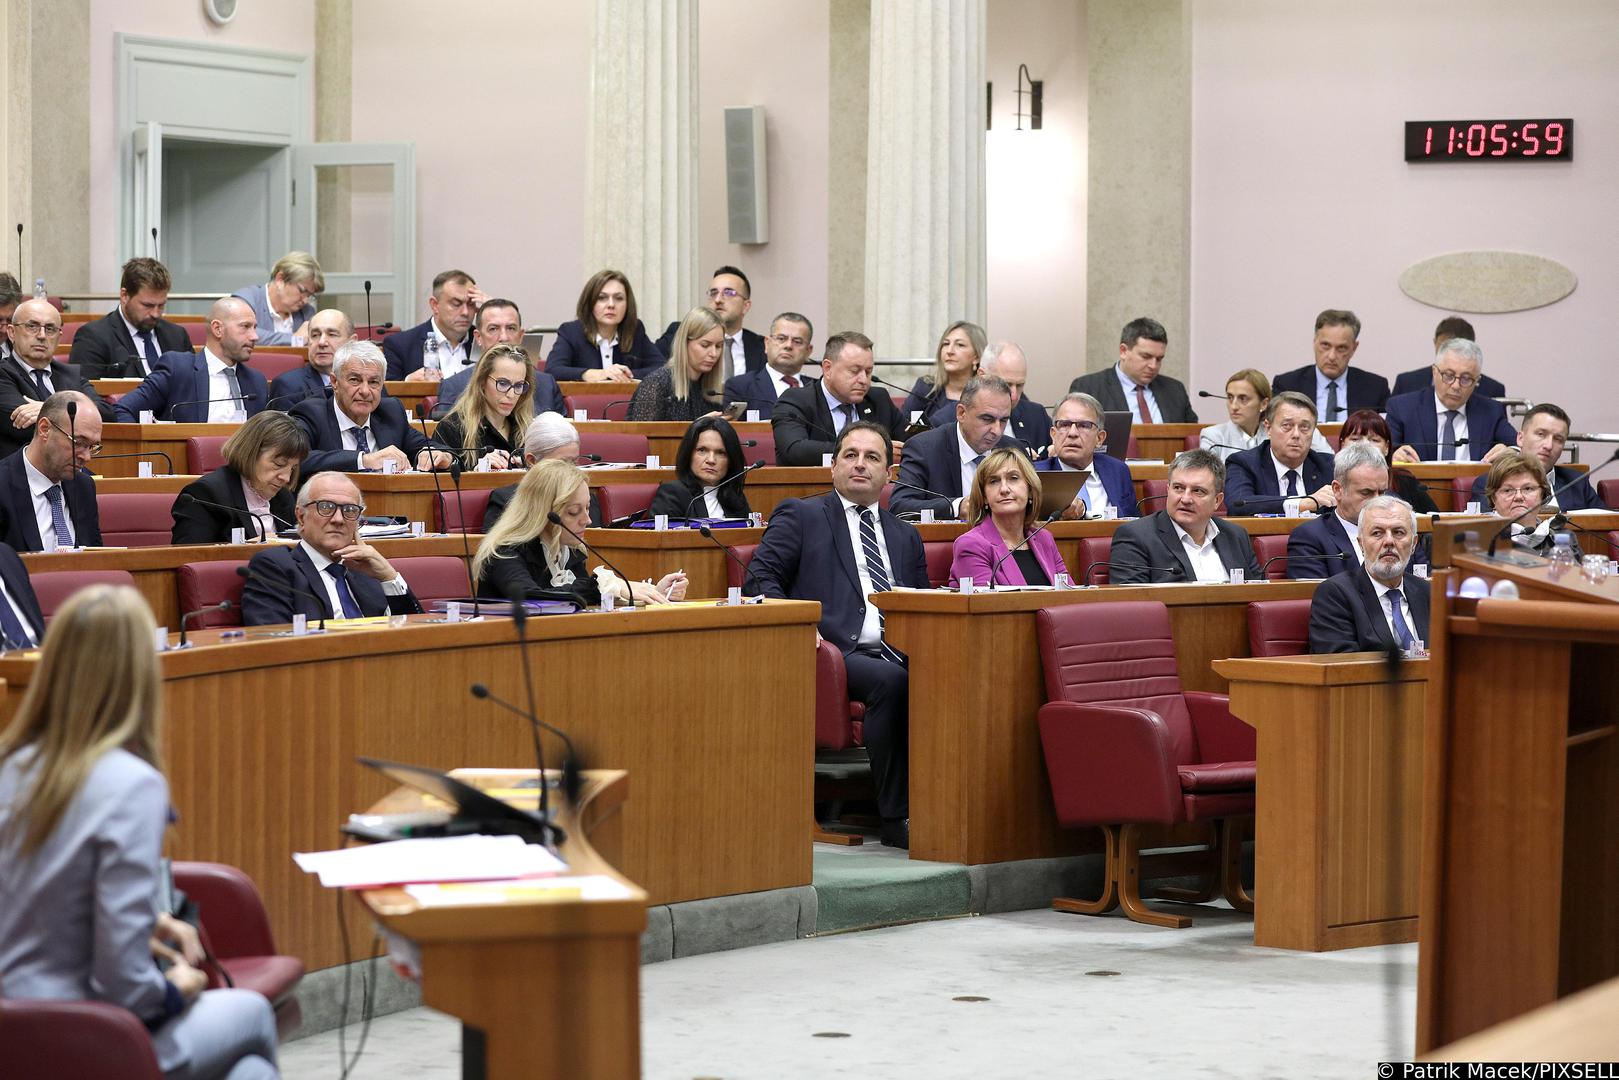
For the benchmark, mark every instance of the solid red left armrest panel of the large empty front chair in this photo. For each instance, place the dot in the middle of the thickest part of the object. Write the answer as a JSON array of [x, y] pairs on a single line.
[[1110, 765]]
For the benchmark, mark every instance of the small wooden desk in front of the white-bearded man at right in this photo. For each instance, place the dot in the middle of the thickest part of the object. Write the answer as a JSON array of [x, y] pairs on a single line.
[[1340, 797]]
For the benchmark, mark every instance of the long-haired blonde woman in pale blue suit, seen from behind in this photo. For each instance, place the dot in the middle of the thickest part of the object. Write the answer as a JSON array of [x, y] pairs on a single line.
[[83, 809]]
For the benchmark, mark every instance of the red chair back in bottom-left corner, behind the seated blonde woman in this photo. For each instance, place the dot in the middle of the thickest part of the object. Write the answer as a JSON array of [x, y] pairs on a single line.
[[75, 1039]]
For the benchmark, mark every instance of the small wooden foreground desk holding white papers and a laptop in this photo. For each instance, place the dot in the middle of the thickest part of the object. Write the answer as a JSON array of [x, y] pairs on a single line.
[[574, 963]]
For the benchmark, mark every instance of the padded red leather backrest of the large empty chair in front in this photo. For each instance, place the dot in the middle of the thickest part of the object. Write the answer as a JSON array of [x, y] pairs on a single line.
[[1118, 653]]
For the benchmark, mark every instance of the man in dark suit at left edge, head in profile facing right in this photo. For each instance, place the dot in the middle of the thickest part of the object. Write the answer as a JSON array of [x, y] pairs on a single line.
[[48, 496]]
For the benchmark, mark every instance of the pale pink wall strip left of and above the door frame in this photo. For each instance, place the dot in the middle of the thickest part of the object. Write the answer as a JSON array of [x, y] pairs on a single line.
[[286, 25]]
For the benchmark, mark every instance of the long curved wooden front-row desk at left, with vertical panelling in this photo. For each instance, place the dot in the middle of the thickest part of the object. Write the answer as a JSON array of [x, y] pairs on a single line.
[[263, 736]]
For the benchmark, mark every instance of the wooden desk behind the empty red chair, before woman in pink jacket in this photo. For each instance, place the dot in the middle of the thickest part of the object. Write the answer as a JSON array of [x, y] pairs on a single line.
[[979, 775]]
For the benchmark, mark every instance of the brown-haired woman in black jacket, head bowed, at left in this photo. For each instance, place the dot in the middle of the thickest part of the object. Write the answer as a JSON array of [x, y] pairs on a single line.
[[253, 491]]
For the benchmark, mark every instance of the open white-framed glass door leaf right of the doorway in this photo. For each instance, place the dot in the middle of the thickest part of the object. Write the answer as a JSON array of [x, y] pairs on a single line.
[[354, 205]]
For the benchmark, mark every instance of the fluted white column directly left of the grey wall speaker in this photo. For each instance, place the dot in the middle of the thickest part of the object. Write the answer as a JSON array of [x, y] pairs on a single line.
[[642, 158]]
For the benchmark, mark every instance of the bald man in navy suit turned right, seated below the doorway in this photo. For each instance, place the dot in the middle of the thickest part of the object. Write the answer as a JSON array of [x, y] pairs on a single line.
[[210, 388]]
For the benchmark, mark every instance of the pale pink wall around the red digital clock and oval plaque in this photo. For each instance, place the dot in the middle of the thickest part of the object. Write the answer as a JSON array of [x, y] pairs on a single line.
[[1302, 200]]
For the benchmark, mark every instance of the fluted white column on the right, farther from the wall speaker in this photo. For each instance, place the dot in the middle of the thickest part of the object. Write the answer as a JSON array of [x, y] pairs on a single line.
[[925, 174]]
